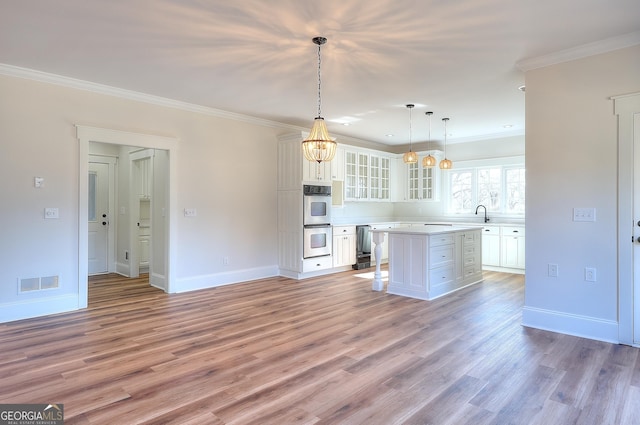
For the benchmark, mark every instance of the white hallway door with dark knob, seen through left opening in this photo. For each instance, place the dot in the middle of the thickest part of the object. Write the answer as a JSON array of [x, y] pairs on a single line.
[[98, 218]]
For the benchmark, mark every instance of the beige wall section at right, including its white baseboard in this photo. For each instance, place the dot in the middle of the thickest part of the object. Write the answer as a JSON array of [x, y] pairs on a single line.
[[571, 161]]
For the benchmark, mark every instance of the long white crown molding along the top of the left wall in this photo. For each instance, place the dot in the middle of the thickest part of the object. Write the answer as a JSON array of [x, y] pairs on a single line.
[[45, 77]]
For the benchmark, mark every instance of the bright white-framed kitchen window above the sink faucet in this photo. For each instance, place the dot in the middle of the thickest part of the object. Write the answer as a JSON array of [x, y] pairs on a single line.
[[499, 188]]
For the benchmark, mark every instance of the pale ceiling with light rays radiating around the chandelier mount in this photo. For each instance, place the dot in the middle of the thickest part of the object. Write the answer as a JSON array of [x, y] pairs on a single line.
[[456, 58]]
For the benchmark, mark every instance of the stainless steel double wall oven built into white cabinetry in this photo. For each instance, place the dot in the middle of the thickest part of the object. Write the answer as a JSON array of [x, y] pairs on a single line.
[[317, 221]]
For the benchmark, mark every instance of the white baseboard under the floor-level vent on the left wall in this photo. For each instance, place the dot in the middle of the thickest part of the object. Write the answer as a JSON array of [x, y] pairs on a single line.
[[38, 307]]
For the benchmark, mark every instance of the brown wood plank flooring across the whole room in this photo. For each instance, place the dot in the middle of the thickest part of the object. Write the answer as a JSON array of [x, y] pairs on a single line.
[[326, 350]]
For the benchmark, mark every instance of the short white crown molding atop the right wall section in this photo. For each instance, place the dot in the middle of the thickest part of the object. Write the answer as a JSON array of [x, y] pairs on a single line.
[[579, 52]]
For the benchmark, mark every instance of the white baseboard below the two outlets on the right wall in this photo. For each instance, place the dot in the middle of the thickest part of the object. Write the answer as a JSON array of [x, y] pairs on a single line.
[[571, 324]]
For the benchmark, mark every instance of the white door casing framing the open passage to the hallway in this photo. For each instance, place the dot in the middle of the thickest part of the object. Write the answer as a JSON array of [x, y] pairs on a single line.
[[161, 276]]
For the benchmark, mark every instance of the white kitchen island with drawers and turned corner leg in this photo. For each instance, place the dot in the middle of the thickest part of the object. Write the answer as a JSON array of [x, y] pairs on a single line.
[[431, 261]]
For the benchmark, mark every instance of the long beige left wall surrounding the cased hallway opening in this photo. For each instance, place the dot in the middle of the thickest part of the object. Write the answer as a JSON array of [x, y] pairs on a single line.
[[226, 170]]
